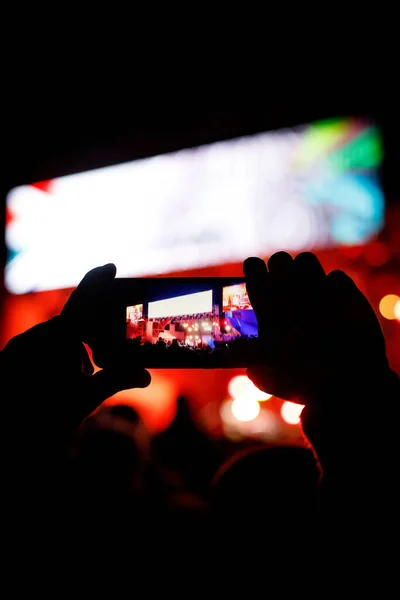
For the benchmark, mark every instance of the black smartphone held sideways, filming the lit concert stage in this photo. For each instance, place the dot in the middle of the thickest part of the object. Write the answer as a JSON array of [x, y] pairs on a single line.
[[188, 322]]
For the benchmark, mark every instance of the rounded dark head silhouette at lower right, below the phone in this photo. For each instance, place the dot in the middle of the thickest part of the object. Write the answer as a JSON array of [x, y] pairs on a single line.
[[268, 491]]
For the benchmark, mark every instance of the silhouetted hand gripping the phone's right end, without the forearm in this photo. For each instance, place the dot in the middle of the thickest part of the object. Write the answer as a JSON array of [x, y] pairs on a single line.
[[316, 331]]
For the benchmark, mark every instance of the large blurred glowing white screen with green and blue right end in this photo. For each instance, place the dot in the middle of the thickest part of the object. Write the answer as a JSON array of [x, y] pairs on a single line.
[[310, 187]]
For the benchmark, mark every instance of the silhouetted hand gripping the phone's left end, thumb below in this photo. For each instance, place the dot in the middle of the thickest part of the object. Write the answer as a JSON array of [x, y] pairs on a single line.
[[50, 380]]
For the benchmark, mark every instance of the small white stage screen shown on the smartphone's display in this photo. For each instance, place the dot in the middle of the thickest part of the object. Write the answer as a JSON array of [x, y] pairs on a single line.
[[189, 304]]
